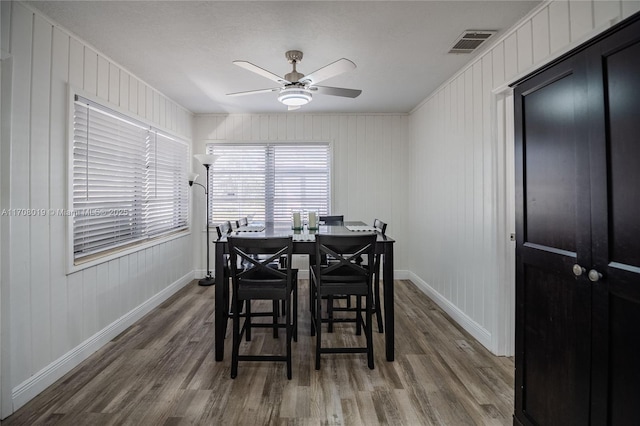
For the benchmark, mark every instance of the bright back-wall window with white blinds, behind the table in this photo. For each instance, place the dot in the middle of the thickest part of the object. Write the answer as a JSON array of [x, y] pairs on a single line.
[[269, 181]]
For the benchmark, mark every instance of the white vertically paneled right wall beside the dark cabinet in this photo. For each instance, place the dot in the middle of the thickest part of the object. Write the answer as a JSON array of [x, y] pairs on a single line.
[[458, 168]]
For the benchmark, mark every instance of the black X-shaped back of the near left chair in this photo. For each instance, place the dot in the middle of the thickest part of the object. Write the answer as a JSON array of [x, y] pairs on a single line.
[[252, 264]]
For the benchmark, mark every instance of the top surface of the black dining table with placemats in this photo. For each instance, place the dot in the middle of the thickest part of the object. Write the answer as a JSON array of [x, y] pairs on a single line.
[[284, 229]]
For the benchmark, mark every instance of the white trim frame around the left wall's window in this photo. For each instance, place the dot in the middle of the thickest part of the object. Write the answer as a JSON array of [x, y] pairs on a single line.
[[124, 249]]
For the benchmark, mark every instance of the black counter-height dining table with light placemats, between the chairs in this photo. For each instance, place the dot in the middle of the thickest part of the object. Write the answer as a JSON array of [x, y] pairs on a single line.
[[303, 244]]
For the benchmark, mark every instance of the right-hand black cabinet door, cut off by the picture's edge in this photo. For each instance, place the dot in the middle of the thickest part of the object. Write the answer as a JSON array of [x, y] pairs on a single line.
[[614, 87]]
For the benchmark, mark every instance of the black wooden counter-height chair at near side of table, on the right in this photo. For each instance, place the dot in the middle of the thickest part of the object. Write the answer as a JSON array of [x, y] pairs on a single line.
[[343, 276]]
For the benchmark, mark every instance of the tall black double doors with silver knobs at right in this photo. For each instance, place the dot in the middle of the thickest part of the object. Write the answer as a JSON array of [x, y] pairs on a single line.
[[578, 236]]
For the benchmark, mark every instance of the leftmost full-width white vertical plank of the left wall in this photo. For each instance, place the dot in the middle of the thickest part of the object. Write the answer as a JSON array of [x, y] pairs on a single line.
[[21, 45]]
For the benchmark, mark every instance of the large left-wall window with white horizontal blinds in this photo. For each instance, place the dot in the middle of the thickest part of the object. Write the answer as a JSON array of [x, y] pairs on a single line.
[[129, 181]]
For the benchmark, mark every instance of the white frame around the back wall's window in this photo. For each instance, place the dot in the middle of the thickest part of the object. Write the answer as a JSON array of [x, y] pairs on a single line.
[[330, 175]]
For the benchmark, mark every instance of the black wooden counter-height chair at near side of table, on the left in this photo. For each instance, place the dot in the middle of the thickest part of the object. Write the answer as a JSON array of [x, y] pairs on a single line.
[[255, 278]]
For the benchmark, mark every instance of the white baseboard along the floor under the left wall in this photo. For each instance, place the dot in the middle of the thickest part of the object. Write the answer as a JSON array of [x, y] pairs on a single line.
[[44, 378]]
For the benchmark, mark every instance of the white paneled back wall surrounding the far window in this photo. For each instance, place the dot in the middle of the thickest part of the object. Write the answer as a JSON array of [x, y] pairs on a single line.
[[369, 162]]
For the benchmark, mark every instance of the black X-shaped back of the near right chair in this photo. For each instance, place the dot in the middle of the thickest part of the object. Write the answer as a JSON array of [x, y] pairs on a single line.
[[345, 252]]
